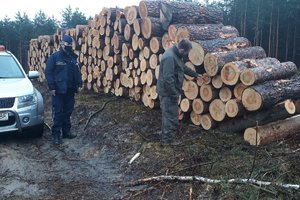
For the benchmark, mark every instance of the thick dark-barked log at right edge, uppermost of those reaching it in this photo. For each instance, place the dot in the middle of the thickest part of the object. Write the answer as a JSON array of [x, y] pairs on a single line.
[[270, 93]]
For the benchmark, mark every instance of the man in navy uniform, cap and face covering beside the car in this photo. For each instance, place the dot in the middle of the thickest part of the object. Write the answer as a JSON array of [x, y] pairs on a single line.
[[64, 80]]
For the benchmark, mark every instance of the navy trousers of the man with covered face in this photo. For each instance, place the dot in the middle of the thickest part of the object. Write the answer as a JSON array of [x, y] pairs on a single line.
[[62, 108]]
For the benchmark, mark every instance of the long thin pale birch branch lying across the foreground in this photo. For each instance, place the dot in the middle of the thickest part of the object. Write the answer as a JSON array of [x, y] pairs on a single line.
[[208, 180]]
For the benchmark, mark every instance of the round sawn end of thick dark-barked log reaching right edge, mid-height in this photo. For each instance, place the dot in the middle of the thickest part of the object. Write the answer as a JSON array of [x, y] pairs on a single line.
[[251, 99]]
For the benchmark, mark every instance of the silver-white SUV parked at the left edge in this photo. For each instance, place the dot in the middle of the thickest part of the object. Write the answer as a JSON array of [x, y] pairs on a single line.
[[21, 104]]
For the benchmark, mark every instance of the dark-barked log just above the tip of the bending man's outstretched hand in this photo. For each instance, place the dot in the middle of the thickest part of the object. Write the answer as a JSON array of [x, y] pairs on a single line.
[[214, 62]]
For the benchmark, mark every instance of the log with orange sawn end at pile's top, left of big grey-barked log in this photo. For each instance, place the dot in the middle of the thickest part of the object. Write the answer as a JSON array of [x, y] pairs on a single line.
[[149, 8]]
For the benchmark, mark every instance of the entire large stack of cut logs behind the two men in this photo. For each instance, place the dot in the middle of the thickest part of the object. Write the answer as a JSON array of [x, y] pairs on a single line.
[[119, 52]]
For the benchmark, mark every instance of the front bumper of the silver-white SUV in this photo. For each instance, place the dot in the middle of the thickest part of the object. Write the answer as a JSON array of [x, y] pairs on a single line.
[[19, 119]]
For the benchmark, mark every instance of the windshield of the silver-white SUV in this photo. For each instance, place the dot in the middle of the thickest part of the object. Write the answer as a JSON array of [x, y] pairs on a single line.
[[9, 68]]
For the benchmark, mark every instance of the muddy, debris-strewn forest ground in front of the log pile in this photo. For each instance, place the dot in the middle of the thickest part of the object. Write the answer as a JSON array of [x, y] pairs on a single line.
[[95, 165]]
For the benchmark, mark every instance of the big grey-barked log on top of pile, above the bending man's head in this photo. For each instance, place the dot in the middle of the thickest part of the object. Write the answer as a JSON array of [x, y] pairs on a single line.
[[189, 13]]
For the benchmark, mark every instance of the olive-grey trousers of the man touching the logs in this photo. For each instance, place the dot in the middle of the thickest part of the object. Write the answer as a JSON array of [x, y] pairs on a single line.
[[169, 109]]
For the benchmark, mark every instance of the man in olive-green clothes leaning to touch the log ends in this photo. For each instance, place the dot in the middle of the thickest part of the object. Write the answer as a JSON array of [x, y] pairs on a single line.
[[169, 87]]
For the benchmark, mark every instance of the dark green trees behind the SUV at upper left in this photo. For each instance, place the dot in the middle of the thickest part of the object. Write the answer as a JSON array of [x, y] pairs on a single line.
[[16, 34]]
